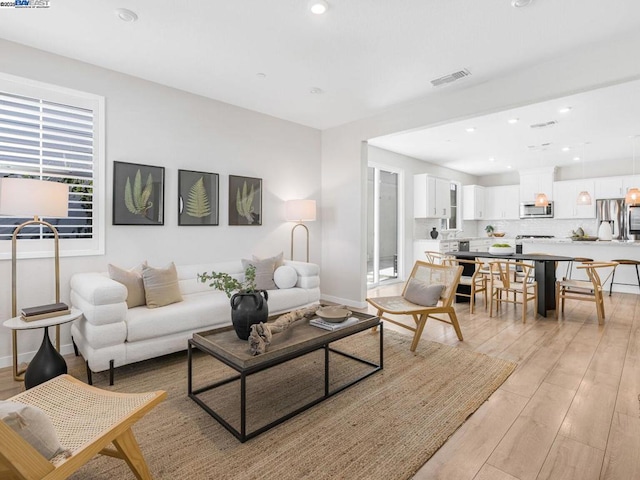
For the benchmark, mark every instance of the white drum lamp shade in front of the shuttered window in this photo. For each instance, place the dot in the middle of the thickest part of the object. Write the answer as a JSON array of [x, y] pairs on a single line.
[[26, 197]]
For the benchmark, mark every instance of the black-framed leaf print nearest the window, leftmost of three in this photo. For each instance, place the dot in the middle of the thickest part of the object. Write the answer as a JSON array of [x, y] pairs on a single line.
[[138, 194]]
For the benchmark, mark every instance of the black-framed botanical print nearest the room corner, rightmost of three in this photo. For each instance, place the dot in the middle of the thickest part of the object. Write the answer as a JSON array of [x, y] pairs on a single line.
[[245, 200]]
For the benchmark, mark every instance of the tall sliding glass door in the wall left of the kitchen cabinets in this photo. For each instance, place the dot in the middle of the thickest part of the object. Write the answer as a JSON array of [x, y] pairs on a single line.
[[383, 198]]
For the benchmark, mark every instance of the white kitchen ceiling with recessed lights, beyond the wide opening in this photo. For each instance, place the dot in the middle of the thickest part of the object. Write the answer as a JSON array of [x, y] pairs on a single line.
[[601, 125]]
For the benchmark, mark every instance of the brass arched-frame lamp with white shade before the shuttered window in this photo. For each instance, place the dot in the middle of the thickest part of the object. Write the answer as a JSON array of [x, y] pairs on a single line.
[[25, 197]]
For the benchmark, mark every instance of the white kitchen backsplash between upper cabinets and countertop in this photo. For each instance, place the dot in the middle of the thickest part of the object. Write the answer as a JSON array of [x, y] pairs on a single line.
[[527, 226]]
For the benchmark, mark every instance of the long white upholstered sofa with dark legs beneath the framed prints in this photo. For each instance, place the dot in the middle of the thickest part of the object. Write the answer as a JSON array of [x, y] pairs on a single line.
[[109, 335]]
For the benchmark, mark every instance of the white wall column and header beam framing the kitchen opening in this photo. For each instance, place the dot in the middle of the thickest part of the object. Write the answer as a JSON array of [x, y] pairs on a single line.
[[344, 164]]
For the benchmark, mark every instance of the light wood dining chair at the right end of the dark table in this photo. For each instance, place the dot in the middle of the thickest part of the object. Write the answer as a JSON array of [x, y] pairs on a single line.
[[587, 290]]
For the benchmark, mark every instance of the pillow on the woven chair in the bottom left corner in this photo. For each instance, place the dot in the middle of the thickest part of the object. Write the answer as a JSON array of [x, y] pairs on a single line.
[[32, 424]]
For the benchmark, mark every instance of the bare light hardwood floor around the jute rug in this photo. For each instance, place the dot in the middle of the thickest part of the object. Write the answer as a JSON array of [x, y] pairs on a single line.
[[571, 409]]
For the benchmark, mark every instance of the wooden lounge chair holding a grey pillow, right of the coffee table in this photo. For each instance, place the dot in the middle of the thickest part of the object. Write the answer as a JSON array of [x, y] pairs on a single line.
[[443, 311]]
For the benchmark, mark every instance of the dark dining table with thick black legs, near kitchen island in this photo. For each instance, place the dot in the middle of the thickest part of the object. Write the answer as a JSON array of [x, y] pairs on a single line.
[[544, 272]]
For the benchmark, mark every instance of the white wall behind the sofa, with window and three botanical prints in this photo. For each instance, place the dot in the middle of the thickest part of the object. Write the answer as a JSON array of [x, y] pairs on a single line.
[[151, 124]]
